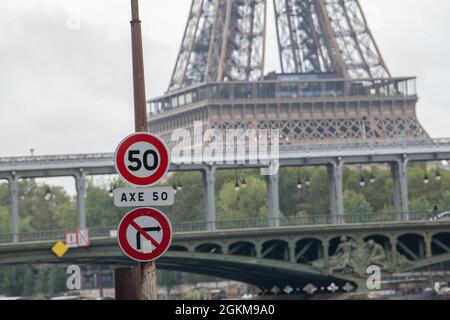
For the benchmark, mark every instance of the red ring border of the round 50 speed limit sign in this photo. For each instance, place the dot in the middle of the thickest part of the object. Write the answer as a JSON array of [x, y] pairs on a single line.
[[142, 137]]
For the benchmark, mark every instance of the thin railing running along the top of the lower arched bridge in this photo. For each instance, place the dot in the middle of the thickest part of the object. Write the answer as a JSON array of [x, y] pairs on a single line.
[[203, 226]]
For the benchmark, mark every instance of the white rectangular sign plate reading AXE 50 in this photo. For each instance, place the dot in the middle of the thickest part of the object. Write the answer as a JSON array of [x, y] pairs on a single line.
[[143, 197]]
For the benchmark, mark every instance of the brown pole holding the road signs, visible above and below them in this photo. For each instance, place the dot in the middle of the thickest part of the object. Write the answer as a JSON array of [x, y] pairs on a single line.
[[148, 269]]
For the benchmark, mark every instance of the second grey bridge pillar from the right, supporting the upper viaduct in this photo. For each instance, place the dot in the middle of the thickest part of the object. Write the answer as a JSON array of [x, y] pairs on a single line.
[[335, 177]]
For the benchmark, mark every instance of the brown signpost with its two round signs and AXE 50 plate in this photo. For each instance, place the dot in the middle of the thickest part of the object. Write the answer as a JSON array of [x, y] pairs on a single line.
[[142, 159]]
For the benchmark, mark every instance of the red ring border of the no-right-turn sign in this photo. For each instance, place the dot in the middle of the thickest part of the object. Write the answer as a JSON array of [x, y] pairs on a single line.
[[166, 229]]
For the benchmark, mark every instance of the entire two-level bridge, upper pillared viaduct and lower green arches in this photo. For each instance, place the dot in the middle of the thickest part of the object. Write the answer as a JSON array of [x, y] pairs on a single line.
[[276, 251]]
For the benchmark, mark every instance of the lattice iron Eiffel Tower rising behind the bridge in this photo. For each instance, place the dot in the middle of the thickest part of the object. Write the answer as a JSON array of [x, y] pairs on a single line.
[[334, 84]]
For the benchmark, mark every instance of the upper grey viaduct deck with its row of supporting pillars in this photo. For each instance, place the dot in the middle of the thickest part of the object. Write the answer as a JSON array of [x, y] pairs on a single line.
[[398, 154]]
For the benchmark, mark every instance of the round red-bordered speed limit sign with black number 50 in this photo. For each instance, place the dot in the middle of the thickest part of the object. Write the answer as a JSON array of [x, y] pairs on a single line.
[[142, 159]]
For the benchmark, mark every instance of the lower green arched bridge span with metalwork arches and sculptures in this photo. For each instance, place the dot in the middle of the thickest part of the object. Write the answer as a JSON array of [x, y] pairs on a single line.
[[297, 253]]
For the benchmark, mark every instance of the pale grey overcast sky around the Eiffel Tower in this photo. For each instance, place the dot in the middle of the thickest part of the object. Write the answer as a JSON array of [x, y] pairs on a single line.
[[67, 88]]
